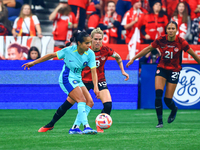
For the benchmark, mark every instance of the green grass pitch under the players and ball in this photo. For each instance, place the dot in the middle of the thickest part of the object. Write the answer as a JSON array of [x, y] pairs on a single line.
[[131, 129]]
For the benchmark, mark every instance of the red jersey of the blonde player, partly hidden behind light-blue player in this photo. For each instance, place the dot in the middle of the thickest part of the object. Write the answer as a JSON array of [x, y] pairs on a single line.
[[101, 57]]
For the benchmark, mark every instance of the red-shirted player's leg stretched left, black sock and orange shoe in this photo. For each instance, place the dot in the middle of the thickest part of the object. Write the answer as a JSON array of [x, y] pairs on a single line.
[[58, 114]]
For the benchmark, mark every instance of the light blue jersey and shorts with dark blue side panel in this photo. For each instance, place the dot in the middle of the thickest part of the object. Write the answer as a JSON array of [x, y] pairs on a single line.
[[74, 64]]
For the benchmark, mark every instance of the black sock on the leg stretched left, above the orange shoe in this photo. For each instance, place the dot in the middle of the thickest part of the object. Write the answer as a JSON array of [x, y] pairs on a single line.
[[59, 113]]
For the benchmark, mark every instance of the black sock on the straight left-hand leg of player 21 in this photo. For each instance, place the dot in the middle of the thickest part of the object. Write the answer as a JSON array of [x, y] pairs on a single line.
[[158, 105]]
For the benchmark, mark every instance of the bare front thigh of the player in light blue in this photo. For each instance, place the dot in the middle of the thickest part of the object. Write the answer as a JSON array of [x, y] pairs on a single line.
[[77, 95]]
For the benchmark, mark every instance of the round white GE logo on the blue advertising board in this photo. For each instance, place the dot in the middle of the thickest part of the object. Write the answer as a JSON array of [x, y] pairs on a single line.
[[187, 92]]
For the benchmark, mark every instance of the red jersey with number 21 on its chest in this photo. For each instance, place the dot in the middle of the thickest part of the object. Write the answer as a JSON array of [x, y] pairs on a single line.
[[171, 52]]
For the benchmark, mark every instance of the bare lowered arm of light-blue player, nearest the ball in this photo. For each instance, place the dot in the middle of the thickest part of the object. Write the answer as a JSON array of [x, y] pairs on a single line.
[[95, 81]]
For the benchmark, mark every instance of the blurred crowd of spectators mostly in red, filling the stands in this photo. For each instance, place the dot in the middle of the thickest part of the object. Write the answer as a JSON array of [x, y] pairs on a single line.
[[117, 18]]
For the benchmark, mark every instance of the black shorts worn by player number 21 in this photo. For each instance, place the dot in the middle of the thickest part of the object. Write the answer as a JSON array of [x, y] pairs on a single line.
[[170, 76]]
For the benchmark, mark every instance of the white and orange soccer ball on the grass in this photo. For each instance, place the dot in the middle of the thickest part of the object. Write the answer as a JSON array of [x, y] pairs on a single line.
[[104, 121]]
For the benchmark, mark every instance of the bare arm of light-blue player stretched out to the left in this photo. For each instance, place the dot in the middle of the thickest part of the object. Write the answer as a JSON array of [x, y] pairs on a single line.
[[37, 61]]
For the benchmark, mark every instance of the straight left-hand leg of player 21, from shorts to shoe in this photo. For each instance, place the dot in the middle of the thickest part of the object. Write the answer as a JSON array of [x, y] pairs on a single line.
[[159, 86]]
